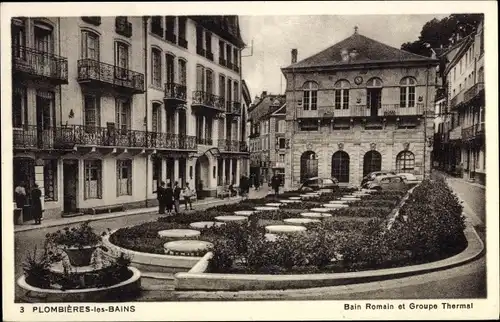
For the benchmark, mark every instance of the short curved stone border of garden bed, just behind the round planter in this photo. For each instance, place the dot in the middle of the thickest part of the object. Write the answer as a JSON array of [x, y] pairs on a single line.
[[151, 262]]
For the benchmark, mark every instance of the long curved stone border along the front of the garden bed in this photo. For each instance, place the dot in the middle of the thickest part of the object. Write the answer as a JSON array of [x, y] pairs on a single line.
[[201, 281]]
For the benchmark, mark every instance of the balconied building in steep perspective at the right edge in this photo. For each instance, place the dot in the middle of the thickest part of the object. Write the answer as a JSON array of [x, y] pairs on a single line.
[[464, 75]]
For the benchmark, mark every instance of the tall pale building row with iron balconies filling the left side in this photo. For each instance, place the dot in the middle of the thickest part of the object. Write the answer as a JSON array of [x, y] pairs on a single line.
[[106, 107]]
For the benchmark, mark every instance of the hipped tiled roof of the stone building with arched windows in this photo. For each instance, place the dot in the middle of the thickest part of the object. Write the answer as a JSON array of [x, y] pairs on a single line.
[[367, 50]]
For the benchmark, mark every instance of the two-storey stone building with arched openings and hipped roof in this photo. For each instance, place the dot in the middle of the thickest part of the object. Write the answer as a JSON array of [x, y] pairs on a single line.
[[358, 106]]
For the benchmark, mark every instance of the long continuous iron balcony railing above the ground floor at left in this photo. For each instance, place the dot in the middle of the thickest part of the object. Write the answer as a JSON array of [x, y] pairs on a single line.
[[66, 137]]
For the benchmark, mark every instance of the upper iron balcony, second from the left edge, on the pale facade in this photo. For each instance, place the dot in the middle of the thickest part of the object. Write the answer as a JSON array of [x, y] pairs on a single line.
[[98, 74]]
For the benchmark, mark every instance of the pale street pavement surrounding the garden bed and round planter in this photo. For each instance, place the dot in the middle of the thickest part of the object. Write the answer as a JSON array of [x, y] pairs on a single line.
[[466, 281]]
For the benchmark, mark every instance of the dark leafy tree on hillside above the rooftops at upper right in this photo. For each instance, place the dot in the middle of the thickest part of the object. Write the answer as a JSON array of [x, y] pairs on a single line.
[[436, 33]]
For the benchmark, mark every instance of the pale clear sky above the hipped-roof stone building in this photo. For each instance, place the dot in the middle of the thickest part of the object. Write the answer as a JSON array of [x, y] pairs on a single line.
[[274, 37]]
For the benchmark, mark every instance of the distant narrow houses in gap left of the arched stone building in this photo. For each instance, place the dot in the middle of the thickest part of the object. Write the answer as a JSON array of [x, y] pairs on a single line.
[[267, 138]]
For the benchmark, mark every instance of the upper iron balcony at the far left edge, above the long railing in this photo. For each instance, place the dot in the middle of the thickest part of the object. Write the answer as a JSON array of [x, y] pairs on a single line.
[[38, 65]]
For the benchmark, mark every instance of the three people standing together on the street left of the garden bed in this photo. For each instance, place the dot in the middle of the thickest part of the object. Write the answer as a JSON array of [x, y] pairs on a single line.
[[169, 197]]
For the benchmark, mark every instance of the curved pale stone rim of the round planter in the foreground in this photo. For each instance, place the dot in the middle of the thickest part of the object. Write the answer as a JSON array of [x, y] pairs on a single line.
[[130, 287]]
